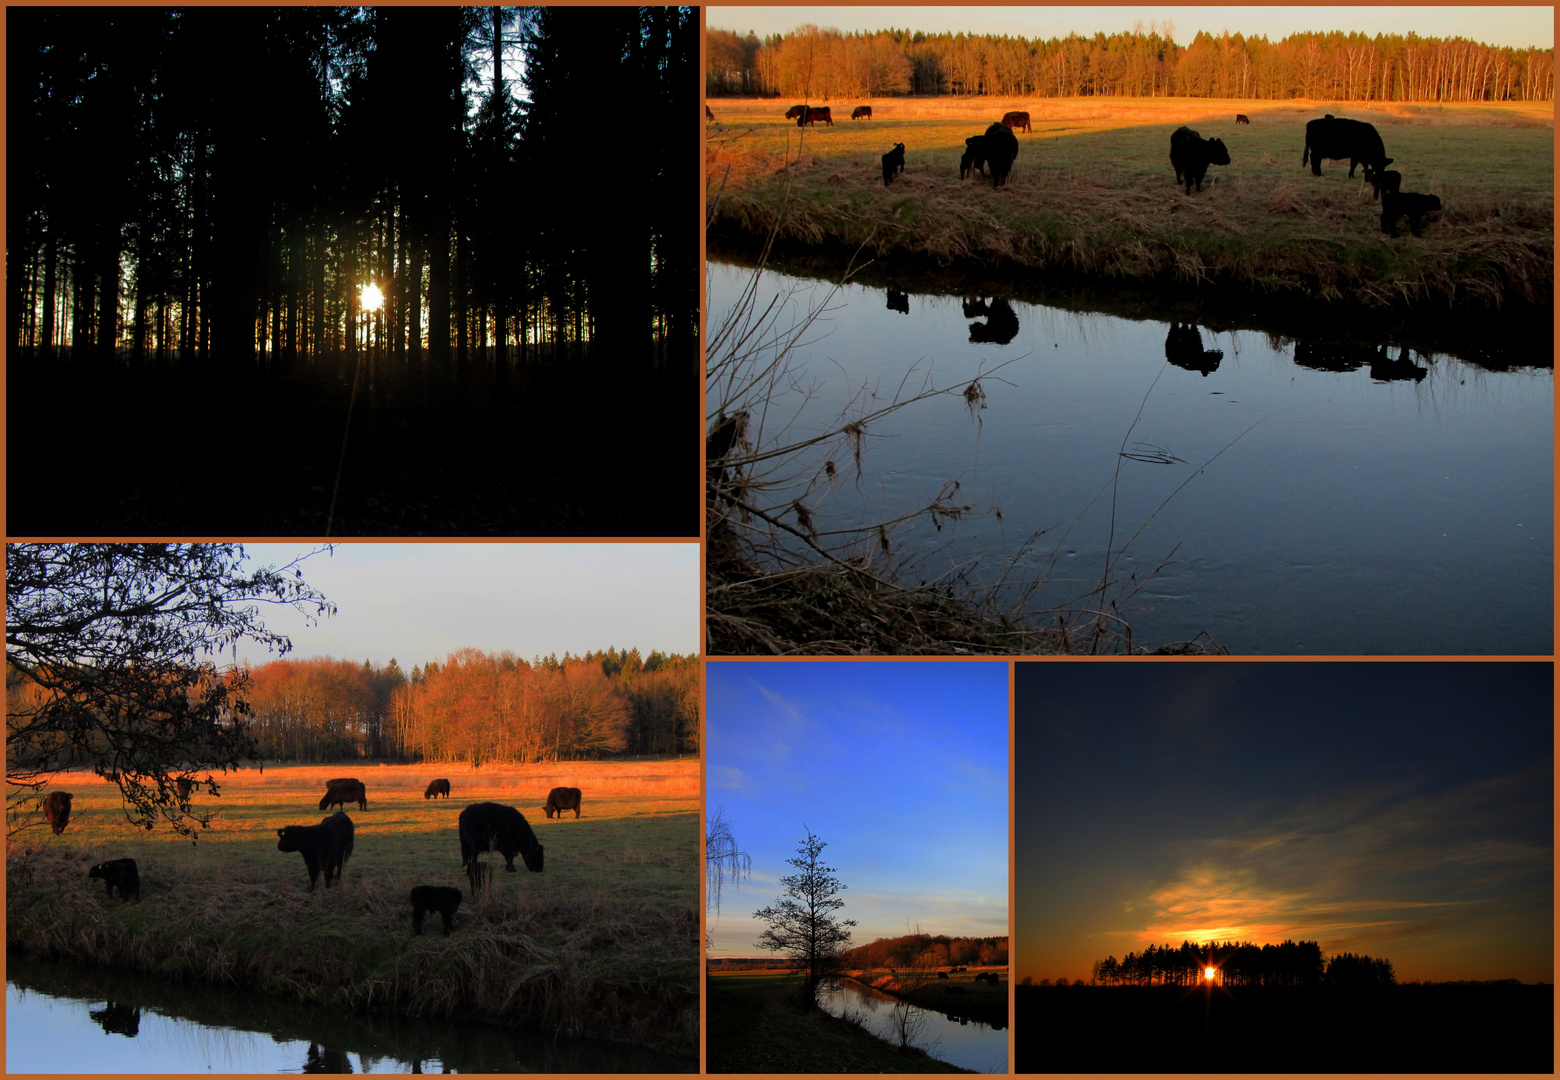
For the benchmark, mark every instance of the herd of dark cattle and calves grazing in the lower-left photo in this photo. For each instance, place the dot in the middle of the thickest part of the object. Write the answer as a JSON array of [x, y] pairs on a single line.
[[327, 847]]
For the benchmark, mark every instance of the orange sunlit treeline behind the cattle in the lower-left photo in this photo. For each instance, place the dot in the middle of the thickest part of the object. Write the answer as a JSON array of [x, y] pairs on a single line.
[[478, 708]]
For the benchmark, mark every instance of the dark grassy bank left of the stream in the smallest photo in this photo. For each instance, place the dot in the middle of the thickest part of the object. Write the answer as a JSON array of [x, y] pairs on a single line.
[[754, 1025]]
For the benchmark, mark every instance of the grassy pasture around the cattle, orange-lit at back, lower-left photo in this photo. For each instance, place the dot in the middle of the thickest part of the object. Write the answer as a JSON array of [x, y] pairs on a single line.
[[603, 943]]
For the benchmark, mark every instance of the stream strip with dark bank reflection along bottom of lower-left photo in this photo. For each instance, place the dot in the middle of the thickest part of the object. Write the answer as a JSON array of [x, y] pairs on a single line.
[[68, 1018]]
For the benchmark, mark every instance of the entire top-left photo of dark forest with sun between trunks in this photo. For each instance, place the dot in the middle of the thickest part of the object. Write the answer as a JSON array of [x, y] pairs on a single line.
[[353, 271]]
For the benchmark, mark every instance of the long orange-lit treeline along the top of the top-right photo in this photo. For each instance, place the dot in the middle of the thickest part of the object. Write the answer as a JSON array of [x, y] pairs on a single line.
[[826, 65]]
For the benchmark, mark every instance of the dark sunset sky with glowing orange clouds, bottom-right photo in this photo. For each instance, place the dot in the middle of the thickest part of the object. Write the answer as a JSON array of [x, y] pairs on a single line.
[[1405, 811]]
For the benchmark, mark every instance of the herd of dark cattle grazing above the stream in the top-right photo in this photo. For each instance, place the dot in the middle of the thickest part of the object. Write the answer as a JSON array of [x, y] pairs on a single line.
[[1335, 138]]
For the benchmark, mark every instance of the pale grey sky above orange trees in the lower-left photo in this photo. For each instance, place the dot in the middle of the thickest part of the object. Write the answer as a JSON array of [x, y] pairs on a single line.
[[420, 602]]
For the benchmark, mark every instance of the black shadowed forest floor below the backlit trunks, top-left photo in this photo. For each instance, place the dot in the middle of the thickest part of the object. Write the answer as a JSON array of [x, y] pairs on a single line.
[[163, 452]]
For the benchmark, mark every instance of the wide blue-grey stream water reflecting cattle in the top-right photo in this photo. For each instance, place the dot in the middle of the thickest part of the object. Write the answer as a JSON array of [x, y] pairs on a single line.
[[1285, 497]]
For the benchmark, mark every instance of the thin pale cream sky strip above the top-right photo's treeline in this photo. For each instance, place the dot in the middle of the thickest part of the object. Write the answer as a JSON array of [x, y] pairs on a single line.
[[1520, 27]]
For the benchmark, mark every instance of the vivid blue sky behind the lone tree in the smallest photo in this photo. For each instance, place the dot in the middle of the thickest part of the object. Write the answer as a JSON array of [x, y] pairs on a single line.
[[901, 767]]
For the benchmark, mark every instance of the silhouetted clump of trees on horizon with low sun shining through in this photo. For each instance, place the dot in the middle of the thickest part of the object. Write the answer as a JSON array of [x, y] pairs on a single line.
[[1292, 964]]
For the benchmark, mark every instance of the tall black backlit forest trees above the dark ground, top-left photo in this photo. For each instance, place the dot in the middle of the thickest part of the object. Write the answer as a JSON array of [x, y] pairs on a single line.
[[216, 185]]
